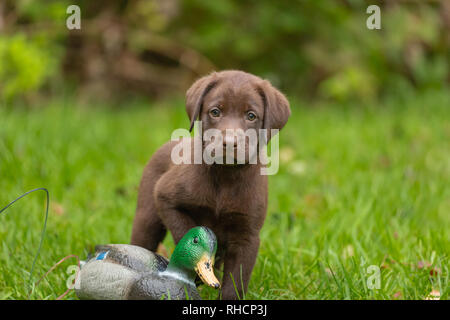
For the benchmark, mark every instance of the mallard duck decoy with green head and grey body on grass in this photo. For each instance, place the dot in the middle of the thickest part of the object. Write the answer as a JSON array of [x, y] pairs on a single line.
[[128, 272]]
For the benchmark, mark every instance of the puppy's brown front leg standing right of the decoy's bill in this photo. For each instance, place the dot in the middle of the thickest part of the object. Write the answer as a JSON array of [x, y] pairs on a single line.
[[240, 258]]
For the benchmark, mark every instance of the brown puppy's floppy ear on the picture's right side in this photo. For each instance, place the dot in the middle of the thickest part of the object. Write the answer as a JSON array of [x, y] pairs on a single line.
[[276, 107]]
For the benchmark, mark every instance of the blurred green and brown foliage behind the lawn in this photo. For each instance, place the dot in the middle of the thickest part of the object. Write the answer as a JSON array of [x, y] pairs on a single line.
[[310, 49]]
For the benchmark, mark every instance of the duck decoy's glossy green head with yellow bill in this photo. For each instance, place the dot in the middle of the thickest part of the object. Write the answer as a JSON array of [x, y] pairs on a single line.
[[196, 251]]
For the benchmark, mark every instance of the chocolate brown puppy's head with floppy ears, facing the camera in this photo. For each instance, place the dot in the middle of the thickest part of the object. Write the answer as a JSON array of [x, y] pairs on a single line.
[[235, 101]]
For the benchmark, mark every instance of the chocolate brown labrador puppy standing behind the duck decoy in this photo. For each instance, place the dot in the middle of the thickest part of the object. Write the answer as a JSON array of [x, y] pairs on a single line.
[[231, 199]]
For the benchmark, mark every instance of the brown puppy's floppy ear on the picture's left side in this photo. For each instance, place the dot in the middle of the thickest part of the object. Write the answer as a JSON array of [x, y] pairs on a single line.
[[196, 94]]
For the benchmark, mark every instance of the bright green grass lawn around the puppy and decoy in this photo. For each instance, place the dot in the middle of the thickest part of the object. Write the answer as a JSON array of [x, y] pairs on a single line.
[[357, 186]]
